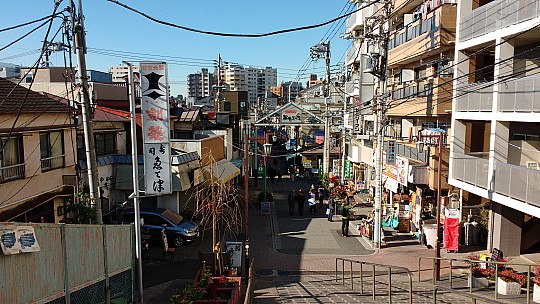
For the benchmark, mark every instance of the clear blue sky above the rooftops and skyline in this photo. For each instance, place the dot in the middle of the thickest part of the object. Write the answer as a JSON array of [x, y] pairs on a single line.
[[115, 34]]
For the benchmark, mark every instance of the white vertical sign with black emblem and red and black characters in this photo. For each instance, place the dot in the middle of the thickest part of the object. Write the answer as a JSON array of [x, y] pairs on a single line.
[[155, 124]]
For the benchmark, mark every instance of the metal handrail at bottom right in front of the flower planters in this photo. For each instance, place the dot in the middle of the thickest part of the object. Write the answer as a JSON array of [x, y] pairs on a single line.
[[471, 262]]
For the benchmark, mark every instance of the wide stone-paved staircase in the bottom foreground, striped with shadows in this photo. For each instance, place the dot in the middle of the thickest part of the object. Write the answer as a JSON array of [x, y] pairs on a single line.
[[323, 288]]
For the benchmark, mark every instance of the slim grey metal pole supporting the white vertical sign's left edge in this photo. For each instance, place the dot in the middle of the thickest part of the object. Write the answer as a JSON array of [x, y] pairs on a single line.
[[135, 175]]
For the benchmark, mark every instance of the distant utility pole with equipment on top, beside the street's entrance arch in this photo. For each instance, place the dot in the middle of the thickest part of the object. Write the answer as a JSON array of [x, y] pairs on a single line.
[[316, 51]]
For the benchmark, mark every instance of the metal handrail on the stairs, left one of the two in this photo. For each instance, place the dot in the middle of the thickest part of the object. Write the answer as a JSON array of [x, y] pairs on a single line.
[[373, 266]]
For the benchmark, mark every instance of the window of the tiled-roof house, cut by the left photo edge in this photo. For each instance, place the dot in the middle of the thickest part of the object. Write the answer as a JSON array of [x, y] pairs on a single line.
[[11, 159]]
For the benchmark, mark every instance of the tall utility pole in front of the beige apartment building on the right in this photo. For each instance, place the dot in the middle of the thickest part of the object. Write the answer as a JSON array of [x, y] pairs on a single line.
[[379, 66]]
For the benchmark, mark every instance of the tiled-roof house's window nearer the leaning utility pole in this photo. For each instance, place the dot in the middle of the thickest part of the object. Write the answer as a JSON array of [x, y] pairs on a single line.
[[52, 150]]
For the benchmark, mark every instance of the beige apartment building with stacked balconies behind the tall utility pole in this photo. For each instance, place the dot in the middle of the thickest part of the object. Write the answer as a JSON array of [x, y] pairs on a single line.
[[417, 98]]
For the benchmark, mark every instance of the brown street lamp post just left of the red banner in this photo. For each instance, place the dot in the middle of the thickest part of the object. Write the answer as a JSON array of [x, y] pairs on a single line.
[[438, 144]]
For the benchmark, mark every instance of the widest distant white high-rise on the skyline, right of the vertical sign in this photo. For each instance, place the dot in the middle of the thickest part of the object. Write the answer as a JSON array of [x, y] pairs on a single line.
[[256, 81]]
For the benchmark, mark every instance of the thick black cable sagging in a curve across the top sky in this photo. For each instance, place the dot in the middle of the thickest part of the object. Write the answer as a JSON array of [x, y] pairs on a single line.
[[296, 29]]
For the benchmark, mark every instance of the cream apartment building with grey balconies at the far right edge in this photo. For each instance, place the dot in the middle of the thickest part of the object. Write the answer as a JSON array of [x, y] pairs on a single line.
[[495, 139]]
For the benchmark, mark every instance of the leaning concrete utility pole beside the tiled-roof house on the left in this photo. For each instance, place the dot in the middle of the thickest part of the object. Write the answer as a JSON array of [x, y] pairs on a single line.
[[84, 100]]
